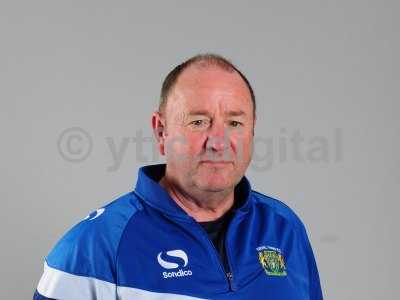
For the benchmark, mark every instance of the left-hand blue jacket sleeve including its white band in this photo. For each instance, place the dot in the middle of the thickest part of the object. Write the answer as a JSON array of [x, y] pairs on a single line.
[[82, 265]]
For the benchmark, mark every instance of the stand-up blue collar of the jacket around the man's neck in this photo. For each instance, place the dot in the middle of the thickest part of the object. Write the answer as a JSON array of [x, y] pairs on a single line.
[[148, 188]]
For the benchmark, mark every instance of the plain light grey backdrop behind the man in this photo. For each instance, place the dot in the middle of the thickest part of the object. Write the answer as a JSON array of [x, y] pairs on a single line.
[[316, 66]]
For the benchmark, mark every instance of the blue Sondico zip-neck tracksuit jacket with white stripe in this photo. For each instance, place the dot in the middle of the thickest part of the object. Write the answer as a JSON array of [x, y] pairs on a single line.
[[144, 246]]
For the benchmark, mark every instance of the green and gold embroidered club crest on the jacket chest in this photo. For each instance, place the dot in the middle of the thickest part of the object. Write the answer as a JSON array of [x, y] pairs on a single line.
[[272, 261]]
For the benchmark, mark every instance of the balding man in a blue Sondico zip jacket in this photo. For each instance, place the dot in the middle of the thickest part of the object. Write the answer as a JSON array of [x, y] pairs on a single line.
[[192, 228]]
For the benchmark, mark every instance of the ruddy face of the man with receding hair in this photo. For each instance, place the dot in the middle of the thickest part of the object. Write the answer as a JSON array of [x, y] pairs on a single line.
[[209, 129]]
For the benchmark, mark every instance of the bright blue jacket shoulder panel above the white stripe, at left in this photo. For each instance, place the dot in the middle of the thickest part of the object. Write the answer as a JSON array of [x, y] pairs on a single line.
[[89, 248]]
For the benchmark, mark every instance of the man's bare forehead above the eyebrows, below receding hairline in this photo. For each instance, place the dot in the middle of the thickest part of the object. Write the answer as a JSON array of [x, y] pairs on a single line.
[[209, 86]]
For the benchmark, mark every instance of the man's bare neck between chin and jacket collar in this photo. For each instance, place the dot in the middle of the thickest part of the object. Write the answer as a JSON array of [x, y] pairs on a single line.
[[203, 206]]
